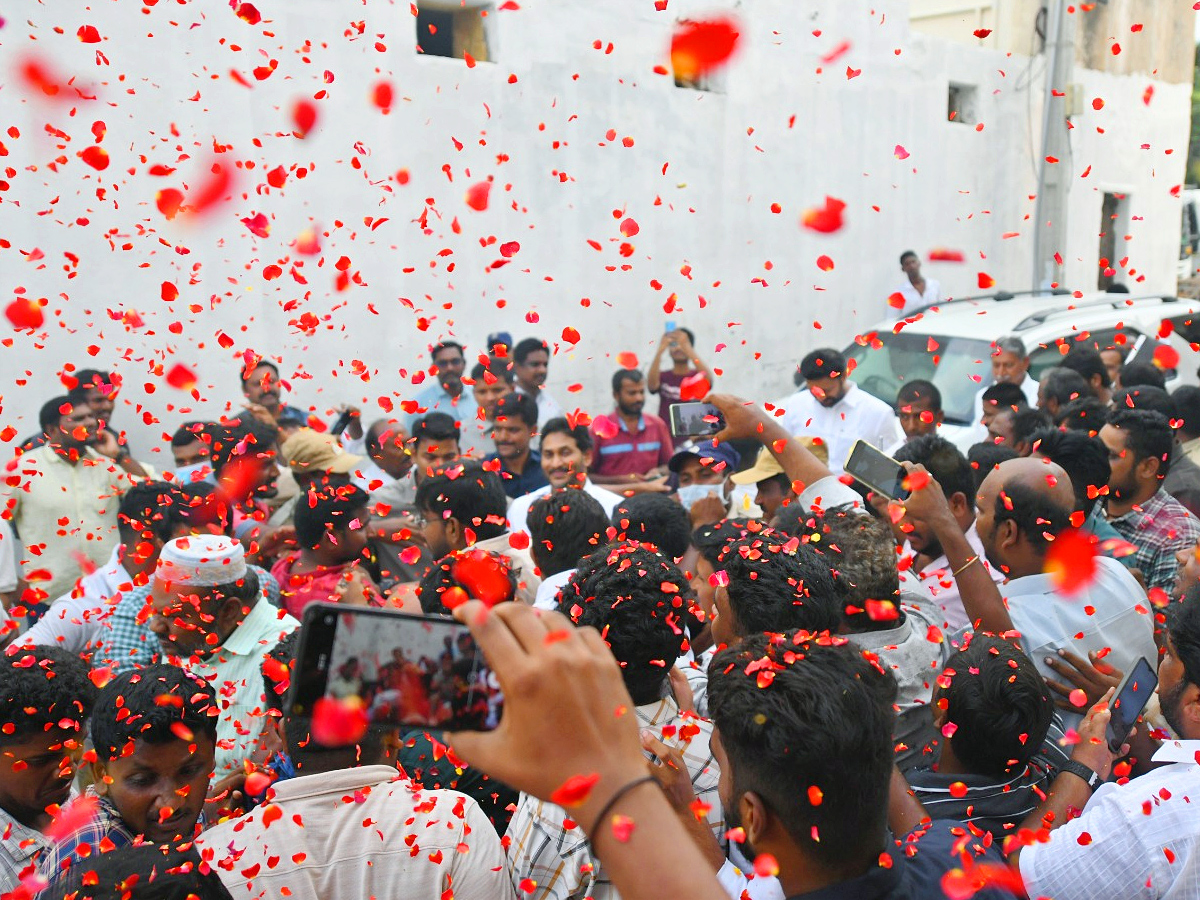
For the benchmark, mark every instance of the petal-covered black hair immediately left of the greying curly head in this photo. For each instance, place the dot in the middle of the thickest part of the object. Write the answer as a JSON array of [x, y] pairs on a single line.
[[777, 585]]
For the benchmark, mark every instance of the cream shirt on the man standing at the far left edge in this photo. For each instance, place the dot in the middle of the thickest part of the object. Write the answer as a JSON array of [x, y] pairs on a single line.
[[46, 489]]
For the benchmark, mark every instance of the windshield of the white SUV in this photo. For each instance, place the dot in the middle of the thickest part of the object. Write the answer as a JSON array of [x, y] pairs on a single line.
[[959, 367]]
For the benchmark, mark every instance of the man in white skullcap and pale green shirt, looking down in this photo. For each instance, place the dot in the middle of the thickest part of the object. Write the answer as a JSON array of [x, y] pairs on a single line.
[[208, 613]]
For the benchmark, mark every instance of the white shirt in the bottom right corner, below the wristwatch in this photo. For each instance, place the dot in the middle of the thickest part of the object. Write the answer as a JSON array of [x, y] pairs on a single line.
[[1144, 839]]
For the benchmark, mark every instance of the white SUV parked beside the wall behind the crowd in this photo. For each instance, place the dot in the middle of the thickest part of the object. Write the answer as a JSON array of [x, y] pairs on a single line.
[[951, 344]]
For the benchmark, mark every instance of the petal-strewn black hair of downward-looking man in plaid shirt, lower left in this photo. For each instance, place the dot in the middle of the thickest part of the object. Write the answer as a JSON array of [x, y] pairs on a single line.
[[155, 701]]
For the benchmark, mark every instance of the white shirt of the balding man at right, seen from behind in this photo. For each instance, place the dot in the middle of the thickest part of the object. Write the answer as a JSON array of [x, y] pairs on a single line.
[[1111, 611]]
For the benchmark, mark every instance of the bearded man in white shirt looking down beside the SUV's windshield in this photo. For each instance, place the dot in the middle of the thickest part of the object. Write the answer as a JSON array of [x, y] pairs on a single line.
[[836, 410]]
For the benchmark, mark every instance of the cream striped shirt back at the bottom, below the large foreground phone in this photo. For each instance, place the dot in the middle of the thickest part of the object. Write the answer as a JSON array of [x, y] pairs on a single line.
[[361, 833]]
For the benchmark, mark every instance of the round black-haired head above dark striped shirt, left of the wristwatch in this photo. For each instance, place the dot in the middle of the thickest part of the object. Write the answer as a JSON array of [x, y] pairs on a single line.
[[999, 705]]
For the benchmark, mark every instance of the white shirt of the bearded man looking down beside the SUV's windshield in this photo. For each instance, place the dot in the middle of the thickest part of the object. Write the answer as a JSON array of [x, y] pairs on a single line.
[[859, 416]]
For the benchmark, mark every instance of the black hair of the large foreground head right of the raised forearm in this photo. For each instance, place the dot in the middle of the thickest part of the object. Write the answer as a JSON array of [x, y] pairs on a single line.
[[825, 722]]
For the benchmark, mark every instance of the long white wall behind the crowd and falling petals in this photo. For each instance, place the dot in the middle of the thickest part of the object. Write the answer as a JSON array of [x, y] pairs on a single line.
[[169, 68]]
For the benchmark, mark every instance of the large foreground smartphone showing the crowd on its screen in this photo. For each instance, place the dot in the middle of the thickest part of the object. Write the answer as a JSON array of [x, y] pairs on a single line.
[[407, 670]]
